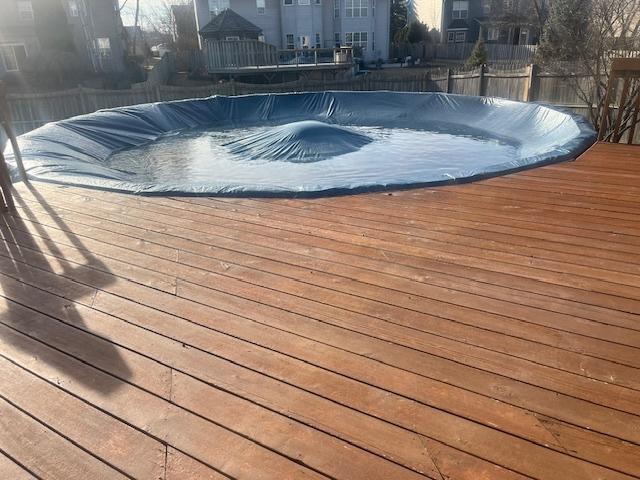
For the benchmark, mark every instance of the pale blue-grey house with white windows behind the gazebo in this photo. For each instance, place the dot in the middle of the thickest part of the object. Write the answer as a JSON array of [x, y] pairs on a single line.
[[289, 24]]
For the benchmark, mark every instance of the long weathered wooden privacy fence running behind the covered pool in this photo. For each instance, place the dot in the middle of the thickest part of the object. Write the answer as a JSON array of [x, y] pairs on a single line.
[[31, 110]]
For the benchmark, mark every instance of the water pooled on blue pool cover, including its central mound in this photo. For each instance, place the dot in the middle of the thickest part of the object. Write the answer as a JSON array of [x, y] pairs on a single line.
[[252, 155]]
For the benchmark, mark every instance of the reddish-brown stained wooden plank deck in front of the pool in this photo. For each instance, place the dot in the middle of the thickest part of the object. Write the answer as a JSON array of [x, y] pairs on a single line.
[[481, 331]]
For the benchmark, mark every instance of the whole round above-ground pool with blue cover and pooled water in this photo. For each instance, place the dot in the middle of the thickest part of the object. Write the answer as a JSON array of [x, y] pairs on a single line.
[[301, 143]]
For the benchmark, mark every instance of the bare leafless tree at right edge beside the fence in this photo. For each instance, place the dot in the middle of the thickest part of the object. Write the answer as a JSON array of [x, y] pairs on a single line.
[[580, 39]]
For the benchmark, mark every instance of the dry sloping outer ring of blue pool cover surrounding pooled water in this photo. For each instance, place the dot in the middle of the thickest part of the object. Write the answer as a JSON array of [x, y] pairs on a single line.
[[70, 152]]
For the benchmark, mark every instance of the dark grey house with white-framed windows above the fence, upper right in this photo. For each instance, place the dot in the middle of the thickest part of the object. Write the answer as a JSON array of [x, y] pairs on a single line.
[[513, 22]]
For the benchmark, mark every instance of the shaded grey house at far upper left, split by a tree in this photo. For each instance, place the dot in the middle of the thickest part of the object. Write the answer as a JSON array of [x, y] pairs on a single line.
[[94, 28]]
